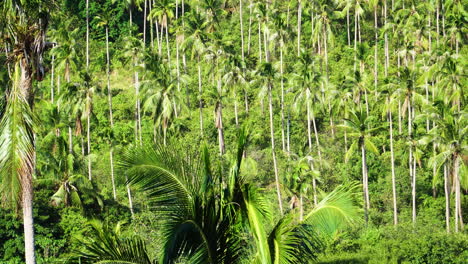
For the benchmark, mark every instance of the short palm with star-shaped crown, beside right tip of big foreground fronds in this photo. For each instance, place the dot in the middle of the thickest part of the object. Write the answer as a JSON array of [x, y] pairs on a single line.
[[359, 128]]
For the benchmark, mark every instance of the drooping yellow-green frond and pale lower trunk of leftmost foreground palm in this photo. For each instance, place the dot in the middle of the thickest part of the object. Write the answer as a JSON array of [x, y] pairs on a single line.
[[17, 158]]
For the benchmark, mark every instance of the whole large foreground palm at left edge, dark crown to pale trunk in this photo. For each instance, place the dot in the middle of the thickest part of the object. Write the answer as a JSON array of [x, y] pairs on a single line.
[[24, 24]]
